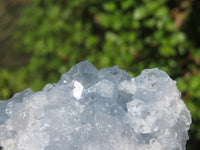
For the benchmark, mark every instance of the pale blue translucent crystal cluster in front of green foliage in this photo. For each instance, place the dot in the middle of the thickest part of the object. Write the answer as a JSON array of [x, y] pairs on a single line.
[[90, 109]]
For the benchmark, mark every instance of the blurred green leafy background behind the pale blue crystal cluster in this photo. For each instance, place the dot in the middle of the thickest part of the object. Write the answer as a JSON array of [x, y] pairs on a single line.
[[41, 39]]
